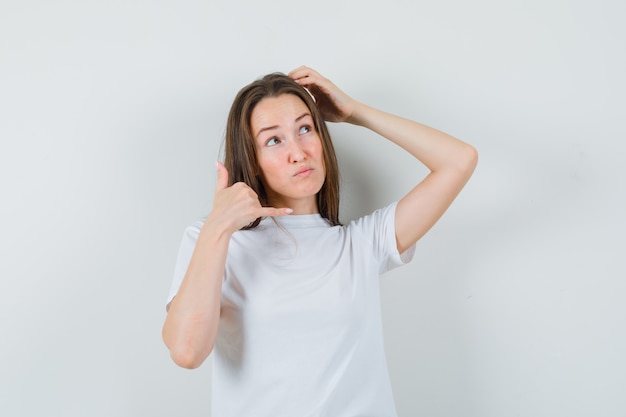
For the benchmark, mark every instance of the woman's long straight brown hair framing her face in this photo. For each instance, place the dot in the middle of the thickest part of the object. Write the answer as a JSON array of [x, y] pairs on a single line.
[[240, 153]]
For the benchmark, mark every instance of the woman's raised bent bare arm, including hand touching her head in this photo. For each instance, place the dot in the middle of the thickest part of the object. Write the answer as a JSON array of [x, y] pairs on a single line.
[[451, 162]]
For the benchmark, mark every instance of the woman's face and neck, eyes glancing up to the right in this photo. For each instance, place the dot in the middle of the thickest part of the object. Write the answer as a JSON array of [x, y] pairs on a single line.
[[289, 152]]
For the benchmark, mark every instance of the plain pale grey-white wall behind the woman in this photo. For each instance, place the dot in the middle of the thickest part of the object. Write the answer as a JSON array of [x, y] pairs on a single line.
[[111, 117]]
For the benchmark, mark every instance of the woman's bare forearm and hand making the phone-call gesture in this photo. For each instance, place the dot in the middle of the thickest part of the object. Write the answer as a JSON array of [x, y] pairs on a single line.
[[191, 324]]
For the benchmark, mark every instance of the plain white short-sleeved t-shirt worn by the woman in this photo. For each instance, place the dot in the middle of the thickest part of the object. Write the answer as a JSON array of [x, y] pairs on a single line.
[[300, 331]]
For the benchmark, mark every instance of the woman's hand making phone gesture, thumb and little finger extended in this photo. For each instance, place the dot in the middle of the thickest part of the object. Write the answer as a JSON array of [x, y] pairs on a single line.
[[238, 205]]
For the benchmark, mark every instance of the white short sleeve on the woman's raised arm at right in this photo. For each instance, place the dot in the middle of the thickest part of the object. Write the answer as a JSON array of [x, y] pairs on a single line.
[[379, 229]]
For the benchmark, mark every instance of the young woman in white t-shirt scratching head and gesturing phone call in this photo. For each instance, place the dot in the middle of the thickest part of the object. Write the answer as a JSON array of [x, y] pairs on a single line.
[[286, 297]]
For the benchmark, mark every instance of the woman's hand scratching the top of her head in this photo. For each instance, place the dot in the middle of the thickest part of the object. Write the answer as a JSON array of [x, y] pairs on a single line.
[[333, 103]]
